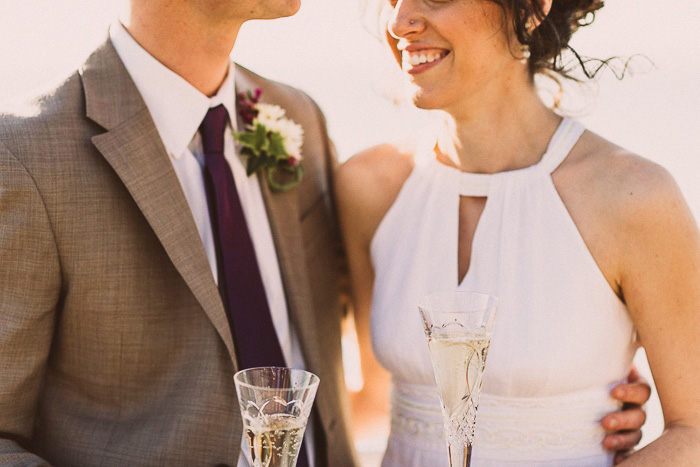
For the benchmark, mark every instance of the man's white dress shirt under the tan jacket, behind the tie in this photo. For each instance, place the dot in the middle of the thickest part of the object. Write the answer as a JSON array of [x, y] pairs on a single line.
[[177, 109]]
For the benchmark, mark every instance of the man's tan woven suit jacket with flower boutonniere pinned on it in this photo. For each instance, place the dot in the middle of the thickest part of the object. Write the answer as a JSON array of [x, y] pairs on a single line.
[[114, 346]]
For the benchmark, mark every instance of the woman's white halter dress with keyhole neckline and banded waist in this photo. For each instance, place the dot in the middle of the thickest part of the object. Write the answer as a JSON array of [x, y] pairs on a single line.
[[562, 338]]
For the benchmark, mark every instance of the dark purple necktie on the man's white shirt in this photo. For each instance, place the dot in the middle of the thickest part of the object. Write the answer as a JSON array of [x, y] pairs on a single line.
[[240, 284]]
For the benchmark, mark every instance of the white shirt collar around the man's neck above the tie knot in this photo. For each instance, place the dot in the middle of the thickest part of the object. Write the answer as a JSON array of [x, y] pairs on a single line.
[[177, 107]]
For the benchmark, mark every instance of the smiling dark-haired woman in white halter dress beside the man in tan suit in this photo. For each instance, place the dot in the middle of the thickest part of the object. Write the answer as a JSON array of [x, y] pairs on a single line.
[[591, 250]]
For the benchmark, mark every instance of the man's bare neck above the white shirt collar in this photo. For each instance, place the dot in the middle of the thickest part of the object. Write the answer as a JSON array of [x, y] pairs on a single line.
[[196, 51]]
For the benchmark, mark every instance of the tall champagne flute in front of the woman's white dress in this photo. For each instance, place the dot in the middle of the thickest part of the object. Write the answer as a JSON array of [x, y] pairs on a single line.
[[458, 326]]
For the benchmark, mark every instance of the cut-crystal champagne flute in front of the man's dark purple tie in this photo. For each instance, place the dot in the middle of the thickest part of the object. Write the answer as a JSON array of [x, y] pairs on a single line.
[[275, 405]]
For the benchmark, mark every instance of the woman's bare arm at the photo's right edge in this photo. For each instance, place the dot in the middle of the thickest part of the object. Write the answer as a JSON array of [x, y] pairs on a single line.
[[659, 277]]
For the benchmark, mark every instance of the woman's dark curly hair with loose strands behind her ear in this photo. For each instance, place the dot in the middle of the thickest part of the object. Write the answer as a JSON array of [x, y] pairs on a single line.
[[550, 39]]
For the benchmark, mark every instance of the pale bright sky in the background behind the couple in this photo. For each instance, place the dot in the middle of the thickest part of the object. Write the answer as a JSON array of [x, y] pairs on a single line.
[[325, 51]]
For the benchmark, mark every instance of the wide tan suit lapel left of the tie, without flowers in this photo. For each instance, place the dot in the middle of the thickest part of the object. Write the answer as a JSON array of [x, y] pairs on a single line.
[[135, 151]]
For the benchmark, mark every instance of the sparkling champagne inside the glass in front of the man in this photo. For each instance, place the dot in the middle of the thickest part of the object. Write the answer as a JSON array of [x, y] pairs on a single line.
[[275, 442]]
